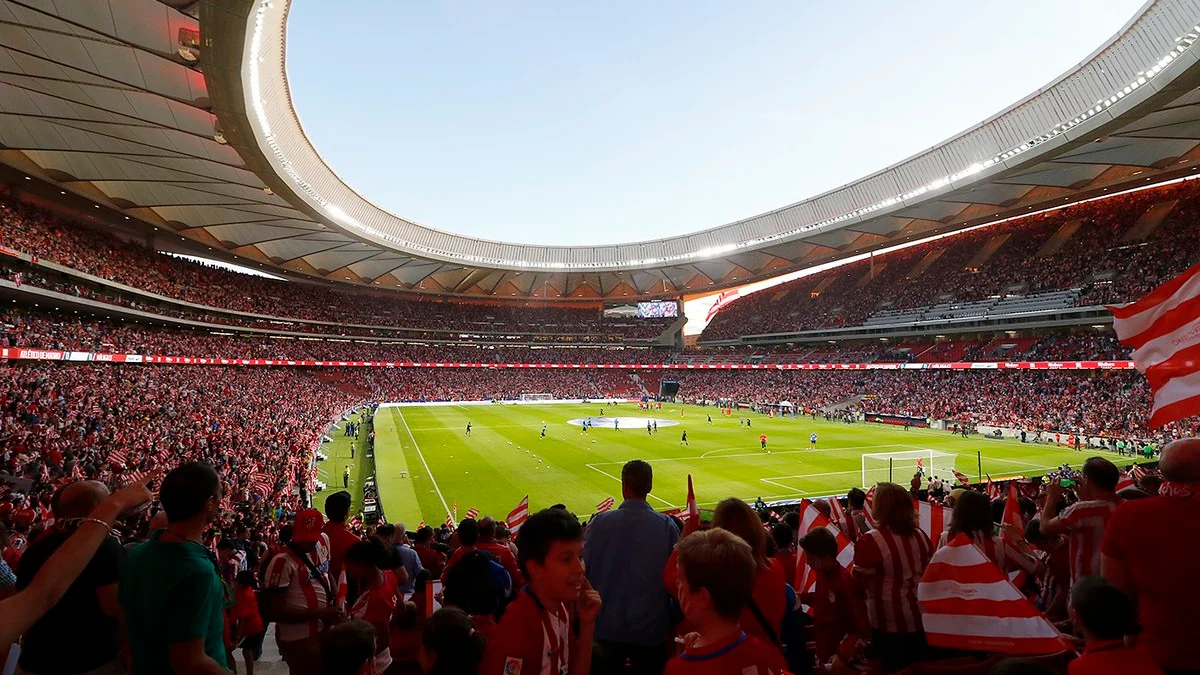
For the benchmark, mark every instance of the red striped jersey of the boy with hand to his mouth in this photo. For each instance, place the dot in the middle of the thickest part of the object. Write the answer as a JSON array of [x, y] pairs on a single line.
[[531, 640]]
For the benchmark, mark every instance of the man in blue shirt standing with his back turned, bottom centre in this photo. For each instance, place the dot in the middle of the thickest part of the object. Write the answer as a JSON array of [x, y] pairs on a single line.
[[626, 552]]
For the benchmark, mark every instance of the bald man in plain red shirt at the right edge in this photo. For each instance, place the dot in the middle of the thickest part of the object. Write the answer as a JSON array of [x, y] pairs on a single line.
[[1150, 551]]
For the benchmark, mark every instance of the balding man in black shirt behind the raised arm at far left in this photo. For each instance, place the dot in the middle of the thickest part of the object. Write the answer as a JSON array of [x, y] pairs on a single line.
[[80, 634]]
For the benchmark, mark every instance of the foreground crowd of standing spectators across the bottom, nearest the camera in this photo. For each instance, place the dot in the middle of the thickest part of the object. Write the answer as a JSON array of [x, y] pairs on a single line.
[[760, 592]]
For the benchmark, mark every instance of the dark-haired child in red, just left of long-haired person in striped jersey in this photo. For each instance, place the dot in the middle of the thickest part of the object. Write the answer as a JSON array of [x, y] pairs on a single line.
[[839, 616]]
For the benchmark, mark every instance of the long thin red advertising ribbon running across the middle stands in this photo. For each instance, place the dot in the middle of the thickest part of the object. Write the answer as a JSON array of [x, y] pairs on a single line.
[[22, 354]]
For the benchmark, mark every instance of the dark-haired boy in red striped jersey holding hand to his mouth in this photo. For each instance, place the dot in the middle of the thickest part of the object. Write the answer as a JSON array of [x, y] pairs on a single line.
[[535, 637]]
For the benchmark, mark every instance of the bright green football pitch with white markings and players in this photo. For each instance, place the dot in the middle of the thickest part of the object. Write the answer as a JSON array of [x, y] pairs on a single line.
[[427, 463]]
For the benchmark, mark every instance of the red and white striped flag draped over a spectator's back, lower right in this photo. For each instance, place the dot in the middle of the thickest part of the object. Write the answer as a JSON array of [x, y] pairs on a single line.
[[968, 604]]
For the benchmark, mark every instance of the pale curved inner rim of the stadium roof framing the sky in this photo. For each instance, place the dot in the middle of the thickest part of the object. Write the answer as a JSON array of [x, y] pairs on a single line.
[[1077, 103]]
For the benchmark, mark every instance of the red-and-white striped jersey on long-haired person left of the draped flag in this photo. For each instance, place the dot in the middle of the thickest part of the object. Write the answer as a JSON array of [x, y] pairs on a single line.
[[891, 566]]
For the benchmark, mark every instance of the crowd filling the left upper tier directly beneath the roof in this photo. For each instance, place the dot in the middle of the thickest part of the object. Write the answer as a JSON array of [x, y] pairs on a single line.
[[38, 232]]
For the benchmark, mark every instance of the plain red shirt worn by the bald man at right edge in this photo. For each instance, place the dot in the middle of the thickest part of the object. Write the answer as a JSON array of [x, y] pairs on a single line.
[[1156, 540]]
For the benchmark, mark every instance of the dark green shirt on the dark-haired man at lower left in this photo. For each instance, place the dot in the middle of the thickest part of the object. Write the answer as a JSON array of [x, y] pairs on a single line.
[[171, 594]]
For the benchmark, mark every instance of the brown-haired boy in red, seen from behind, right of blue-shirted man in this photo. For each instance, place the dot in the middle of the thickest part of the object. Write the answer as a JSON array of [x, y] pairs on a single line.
[[717, 572]]
